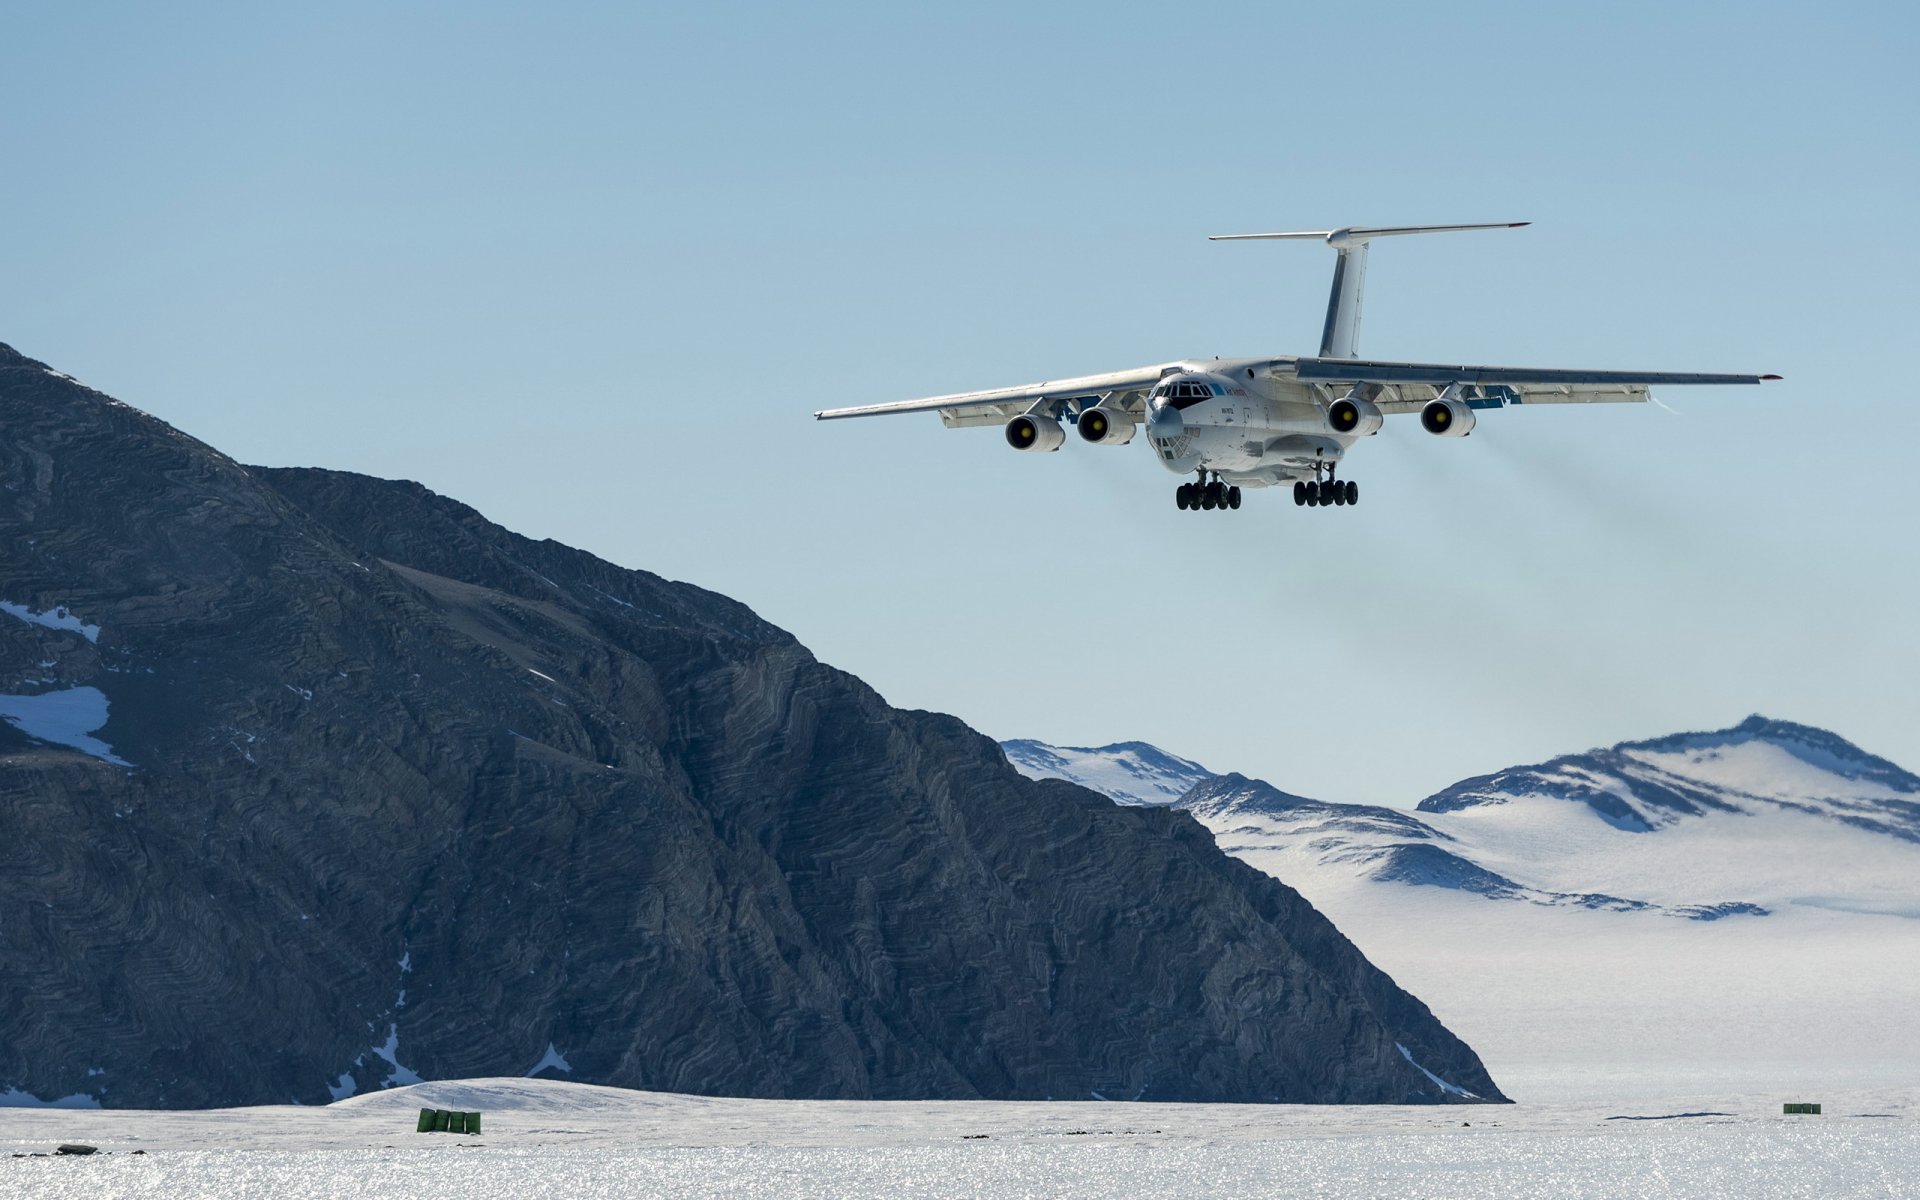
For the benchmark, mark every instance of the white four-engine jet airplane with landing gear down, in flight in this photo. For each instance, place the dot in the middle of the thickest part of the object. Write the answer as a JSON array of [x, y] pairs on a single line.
[[1262, 423]]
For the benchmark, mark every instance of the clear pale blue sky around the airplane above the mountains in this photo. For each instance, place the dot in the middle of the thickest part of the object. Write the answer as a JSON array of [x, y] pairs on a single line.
[[590, 270]]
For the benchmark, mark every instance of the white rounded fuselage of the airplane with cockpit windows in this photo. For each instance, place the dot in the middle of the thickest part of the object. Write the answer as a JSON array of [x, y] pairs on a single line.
[[1249, 431]]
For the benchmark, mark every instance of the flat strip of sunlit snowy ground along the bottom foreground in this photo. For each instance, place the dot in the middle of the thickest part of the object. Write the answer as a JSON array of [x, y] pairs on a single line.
[[565, 1140]]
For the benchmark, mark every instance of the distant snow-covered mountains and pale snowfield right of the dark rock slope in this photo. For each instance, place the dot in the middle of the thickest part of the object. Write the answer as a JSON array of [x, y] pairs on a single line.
[[1729, 905]]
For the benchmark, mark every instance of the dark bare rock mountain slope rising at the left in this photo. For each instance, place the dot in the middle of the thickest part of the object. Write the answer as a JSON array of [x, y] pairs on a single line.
[[389, 790]]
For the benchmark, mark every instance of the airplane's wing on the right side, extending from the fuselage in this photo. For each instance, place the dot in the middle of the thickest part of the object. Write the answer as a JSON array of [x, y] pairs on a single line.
[[1410, 387]]
